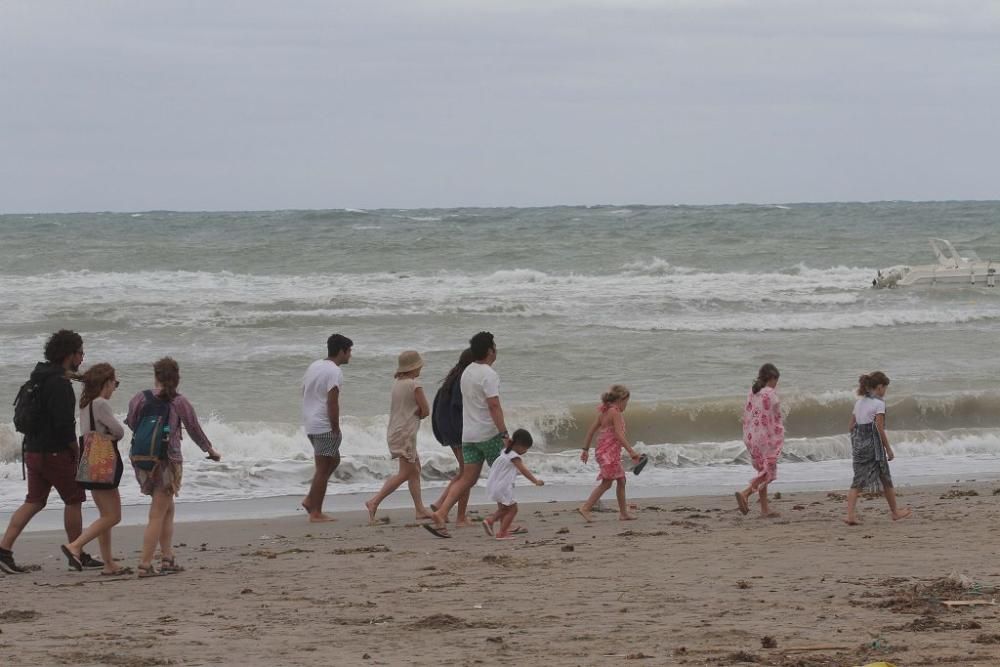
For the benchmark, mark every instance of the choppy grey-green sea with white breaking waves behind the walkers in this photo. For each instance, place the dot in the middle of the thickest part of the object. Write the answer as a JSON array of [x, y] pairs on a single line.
[[680, 303]]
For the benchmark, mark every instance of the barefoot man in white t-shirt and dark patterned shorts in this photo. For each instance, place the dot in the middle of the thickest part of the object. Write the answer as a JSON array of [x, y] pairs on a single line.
[[321, 419]]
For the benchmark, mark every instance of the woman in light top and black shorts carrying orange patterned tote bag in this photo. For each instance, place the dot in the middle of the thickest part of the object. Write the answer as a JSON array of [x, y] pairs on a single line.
[[99, 383]]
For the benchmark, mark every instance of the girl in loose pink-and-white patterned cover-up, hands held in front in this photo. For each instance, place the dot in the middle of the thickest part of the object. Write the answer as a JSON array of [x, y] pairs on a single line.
[[764, 436]]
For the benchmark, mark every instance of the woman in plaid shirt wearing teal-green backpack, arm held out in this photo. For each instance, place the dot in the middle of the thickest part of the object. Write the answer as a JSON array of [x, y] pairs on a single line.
[[155, 417]]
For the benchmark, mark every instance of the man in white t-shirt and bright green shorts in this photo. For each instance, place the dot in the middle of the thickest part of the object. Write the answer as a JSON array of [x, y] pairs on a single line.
[[484, 431]]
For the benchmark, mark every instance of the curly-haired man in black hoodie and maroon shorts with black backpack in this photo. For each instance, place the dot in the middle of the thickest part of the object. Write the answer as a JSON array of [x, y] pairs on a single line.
[[45, 411]]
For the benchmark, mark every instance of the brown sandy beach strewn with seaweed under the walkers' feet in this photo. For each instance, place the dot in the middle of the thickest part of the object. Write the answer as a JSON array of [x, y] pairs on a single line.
[[690, 582]]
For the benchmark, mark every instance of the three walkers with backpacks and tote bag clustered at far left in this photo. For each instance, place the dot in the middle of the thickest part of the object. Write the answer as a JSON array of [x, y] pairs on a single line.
[[53, 455]]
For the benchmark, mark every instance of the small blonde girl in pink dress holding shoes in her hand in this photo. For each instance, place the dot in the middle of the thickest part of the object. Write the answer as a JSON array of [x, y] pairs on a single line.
[[610, 441]]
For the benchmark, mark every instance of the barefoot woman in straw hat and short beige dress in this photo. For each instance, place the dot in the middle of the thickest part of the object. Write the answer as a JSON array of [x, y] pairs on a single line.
[[409, 406]]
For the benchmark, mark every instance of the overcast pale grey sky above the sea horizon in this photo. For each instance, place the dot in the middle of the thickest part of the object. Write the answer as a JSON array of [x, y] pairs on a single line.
[[124, 105]]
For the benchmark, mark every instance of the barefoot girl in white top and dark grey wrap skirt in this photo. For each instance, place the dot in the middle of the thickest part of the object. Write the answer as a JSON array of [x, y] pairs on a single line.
[[870, 448]]
